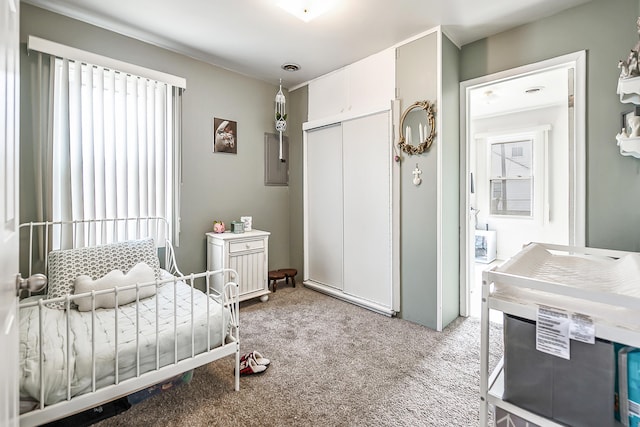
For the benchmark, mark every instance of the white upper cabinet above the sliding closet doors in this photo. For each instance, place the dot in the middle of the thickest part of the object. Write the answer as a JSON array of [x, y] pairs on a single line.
[[364, 86]]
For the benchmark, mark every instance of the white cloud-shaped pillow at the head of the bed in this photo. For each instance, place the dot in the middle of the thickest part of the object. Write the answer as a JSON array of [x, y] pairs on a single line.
[[140, 273]]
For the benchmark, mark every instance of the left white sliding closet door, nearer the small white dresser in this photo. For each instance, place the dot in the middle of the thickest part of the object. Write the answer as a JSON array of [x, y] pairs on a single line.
[[324, 205]]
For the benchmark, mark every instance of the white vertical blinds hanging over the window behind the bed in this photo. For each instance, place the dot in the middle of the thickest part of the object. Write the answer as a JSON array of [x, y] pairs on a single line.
[[113, 145]]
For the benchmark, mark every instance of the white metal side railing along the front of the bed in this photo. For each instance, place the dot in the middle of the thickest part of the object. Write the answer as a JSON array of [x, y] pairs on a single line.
[[73, 404]]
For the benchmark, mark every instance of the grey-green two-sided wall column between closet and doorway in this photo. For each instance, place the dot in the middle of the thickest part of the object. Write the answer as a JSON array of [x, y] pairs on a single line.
[[417, 79]]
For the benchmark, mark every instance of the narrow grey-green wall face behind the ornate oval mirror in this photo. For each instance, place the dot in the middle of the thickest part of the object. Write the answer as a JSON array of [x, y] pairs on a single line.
[[416, 80]]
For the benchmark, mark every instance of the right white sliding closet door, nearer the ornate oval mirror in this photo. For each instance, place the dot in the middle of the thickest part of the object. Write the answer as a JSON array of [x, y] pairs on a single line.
[[367, 208]]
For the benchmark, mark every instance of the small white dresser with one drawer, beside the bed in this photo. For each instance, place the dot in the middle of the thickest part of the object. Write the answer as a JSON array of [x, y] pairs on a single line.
[[248, 254]]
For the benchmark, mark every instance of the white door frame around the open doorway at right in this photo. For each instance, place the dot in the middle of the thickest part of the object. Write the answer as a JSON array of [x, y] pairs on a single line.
[[577, 185]]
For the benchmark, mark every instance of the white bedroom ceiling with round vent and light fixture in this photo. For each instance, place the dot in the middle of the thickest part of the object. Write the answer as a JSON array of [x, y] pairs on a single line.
[[255, 37]]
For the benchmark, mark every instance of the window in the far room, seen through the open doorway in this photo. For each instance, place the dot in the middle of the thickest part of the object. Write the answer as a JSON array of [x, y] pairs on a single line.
[[511, 178]]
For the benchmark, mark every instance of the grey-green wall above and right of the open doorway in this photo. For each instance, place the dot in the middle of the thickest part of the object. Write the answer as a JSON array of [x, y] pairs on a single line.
[[607, 30]]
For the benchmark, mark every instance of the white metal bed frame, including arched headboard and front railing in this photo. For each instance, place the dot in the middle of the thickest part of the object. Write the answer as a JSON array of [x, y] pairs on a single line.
[[38, 239]]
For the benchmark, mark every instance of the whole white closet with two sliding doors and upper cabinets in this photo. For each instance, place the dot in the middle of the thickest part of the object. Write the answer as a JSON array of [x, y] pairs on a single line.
[[348, 161]]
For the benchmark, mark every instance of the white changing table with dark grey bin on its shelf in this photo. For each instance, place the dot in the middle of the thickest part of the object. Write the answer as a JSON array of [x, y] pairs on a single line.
[[575, 280]]
